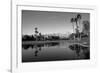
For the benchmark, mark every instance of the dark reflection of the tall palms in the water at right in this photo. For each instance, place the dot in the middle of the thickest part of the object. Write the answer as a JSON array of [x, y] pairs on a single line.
[[81, 50]]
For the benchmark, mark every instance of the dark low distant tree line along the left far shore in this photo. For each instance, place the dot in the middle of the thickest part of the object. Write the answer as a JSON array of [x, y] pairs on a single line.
[[41, 38]]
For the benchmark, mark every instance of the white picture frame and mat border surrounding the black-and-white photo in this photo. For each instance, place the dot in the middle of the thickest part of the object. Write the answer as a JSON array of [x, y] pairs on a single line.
[[17, 66]]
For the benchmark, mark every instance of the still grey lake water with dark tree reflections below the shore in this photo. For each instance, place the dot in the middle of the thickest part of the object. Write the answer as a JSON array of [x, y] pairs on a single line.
[[54, 51]]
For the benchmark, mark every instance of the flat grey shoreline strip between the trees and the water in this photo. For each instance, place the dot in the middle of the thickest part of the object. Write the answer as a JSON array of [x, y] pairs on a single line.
[[80, 42]]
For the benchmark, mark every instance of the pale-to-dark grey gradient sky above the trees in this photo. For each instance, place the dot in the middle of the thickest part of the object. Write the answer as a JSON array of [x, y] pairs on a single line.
[[49, 22]]
